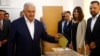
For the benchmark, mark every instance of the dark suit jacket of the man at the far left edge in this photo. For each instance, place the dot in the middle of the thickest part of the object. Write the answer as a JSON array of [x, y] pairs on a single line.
[[5, 30]]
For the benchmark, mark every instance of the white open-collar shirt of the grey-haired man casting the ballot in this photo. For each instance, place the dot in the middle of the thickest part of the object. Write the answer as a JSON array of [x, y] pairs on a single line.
[[30, 26]]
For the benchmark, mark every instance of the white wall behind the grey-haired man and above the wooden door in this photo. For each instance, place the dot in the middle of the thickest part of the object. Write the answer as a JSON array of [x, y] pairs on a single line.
[[17, 5]]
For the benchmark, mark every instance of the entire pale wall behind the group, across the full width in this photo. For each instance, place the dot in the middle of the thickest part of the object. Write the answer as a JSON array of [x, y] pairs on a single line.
[[17, 5]]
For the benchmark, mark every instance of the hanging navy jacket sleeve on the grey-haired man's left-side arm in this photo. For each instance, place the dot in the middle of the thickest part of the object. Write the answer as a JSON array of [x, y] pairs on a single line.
[[11, 40]]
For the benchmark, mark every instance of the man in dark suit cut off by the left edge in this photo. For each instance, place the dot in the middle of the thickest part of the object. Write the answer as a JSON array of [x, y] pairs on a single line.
[[4, 31]]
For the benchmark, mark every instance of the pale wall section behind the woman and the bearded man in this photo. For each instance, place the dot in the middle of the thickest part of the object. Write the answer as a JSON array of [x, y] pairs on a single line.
[[85, 4]]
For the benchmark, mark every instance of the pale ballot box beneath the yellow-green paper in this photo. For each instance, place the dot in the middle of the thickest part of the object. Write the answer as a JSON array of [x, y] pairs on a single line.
[[62, 52]]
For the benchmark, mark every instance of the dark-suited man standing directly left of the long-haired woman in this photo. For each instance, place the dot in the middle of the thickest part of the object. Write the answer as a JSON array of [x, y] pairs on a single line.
[[67, 26]]
